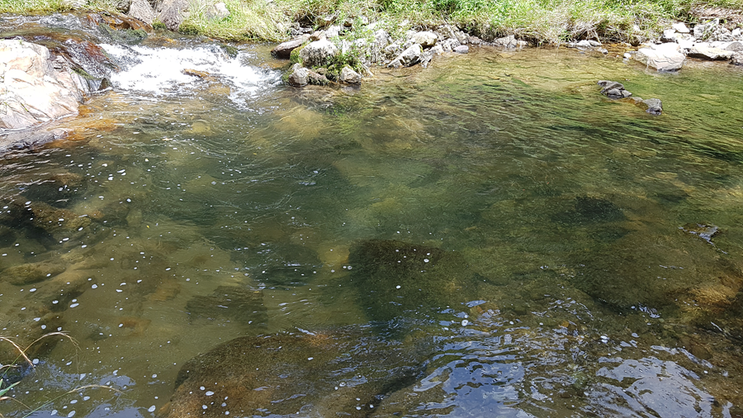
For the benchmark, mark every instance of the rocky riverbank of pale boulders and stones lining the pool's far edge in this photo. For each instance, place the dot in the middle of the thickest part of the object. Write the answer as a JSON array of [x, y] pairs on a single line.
[[47, 72]]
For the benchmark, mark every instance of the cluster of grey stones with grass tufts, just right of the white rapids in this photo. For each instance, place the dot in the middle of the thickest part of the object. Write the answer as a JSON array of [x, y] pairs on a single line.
[[318, 48]]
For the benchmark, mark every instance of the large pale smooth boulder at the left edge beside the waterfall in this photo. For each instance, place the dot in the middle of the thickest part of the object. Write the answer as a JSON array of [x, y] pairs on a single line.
[[34, 87]]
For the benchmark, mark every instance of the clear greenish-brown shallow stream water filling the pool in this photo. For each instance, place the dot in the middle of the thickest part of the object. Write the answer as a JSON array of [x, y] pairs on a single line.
[[565, 270]]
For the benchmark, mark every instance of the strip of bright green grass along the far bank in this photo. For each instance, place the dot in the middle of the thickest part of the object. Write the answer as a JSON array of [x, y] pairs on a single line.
[[535, 20]]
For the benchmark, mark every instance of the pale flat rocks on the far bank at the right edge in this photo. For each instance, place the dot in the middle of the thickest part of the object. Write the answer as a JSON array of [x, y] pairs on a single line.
[[708, 41]]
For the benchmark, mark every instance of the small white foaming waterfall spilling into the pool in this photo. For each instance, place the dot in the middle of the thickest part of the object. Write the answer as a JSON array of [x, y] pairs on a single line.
[[171, 71]]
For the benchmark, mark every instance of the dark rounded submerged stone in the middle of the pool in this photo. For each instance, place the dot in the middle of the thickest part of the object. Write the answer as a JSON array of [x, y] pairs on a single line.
[[397, 279]]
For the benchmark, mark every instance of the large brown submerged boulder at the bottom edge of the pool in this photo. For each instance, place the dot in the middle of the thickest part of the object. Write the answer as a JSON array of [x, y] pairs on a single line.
[[312, 374]]
